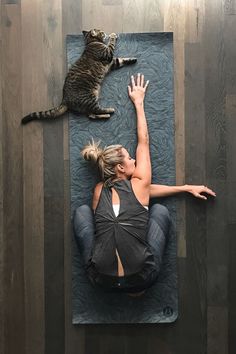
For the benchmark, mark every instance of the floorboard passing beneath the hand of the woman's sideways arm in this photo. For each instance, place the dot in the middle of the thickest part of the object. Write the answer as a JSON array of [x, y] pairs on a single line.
[[195, 209]]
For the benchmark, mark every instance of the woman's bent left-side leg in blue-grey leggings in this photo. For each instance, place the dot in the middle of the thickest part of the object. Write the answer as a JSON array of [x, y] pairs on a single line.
[[84, 230]]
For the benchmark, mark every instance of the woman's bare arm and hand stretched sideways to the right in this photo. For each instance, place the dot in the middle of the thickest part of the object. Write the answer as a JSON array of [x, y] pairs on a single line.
[[158, 190]]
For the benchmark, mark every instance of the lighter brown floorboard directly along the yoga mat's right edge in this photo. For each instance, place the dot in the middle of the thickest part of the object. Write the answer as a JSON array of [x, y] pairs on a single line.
[[174, 20]]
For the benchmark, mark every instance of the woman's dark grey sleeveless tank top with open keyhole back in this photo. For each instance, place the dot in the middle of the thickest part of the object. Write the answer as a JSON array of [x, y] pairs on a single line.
[[125, 233]]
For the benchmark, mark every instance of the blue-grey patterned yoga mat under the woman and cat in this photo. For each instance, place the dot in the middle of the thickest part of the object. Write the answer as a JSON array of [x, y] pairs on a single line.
[[154, 53]]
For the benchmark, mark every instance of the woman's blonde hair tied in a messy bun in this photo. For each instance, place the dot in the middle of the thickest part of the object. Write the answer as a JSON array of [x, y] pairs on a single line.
[[106, 158]]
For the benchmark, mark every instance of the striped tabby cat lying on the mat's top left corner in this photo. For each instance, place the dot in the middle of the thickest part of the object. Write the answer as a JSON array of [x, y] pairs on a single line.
[[83, 81]]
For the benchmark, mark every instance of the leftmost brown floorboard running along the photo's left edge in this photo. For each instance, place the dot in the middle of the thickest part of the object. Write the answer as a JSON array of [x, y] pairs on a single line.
[[13, 281]]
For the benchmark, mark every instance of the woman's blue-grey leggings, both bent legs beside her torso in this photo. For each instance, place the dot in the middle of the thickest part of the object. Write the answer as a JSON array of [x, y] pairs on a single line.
[[157, 237]]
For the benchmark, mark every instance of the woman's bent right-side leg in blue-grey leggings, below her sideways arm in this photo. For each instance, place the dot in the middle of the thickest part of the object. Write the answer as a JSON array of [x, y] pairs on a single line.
[[158, 232]]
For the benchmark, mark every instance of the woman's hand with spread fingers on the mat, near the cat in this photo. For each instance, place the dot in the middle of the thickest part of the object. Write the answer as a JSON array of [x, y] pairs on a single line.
[[137, 89]]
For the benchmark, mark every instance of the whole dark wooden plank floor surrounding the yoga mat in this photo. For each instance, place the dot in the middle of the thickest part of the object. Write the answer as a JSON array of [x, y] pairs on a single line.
[[35, 253]]
